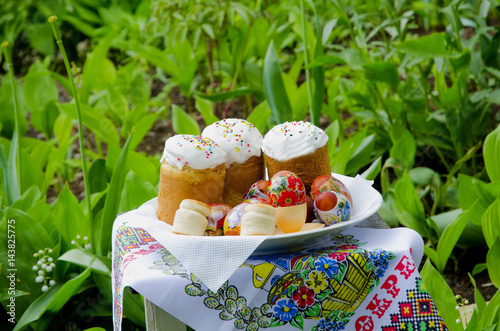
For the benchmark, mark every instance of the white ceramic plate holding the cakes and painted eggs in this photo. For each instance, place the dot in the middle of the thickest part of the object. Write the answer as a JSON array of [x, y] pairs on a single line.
[[300, 240]]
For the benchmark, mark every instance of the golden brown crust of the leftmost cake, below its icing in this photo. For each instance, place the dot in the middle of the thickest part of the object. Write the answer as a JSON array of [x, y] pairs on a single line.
[[176, 185]]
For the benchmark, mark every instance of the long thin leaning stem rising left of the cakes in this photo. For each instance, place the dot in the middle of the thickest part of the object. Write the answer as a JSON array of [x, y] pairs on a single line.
[[57, 36]]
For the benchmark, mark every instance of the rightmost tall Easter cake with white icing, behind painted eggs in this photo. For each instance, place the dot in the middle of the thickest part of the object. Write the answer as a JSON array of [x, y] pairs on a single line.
[[299, 147]]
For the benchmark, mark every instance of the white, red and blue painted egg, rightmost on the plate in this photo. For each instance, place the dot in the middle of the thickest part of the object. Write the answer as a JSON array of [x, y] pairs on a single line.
[[331, 207]]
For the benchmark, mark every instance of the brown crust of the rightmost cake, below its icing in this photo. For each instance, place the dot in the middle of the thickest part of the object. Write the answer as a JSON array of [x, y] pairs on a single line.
[[307, 167]]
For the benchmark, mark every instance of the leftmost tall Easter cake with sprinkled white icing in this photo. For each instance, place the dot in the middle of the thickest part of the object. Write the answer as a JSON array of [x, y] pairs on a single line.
[[192, 167]]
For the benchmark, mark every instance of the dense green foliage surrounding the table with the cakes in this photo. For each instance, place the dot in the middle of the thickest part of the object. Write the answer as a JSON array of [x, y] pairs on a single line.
[[407, 93]]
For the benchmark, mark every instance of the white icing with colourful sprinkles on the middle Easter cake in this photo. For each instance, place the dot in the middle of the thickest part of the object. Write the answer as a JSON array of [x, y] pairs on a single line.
[[239, 139]]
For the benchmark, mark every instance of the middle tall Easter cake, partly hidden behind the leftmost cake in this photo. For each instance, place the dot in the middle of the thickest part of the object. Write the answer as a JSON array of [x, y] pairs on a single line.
[[242, 143]]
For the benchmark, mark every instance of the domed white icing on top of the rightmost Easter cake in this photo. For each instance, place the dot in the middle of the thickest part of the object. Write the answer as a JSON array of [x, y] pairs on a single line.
[[292, 139]]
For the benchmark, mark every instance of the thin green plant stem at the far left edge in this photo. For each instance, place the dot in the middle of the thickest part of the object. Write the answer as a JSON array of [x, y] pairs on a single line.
[[15, 135]]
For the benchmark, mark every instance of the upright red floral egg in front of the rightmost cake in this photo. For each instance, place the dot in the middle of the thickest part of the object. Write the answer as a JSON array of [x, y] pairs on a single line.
[[286, 189]]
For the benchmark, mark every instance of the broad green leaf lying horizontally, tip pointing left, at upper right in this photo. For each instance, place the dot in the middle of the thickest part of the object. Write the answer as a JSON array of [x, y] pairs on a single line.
[[430, 46]]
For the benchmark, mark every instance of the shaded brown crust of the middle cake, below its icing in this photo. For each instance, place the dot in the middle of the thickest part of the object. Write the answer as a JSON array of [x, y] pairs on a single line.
[[239, 177]]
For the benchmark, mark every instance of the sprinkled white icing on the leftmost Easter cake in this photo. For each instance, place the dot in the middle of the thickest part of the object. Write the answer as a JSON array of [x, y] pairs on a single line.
[[196, 152]]
